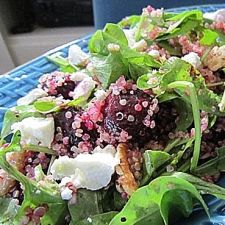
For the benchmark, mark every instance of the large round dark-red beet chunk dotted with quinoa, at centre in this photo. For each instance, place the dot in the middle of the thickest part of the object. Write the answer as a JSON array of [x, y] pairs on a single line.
[[130, 110]]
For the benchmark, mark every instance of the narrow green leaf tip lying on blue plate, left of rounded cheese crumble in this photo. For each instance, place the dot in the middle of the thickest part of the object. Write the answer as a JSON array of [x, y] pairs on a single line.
[[63, 63]]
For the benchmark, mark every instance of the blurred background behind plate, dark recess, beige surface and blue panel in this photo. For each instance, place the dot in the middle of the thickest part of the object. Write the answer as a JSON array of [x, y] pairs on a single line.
[[29, 28]]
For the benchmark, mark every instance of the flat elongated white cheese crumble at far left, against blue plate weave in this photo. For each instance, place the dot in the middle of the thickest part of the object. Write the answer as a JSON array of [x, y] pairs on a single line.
[[32, 96]]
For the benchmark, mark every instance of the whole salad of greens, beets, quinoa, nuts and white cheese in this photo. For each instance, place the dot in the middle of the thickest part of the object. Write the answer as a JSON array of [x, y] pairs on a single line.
[[132, 132]]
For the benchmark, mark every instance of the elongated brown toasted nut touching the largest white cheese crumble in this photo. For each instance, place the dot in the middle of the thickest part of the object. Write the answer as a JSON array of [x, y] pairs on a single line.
[[127, 179]]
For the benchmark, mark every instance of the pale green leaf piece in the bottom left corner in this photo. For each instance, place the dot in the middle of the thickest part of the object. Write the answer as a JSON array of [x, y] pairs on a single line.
[[8, 210]]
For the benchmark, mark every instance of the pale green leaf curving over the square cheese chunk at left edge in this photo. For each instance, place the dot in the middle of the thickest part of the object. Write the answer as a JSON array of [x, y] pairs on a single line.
[[17, 114]]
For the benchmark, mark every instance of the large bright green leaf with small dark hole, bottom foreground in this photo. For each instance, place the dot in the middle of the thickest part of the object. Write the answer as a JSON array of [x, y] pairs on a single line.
[[152, 203]]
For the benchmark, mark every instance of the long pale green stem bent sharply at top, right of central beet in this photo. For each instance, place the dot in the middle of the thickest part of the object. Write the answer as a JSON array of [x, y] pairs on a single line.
[[196, 115]]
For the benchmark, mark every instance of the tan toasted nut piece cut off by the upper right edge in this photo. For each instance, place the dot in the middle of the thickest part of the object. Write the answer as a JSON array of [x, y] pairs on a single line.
[[215, 58]]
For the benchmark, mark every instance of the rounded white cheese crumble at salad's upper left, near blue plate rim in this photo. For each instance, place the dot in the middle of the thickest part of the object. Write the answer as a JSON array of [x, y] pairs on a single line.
[[76, 56]]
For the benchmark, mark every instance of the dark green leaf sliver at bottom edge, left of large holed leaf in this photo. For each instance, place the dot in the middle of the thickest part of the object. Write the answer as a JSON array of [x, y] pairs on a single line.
[[99, 219]]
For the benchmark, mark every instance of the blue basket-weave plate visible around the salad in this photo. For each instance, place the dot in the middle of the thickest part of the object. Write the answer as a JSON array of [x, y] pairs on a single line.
[[22, 79]]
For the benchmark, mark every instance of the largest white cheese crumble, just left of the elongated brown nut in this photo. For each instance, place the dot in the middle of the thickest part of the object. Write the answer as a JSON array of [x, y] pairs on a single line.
[[90, 171]]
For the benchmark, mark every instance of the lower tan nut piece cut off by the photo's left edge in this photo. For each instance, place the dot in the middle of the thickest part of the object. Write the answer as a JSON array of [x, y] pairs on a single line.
[[6, 183]]
